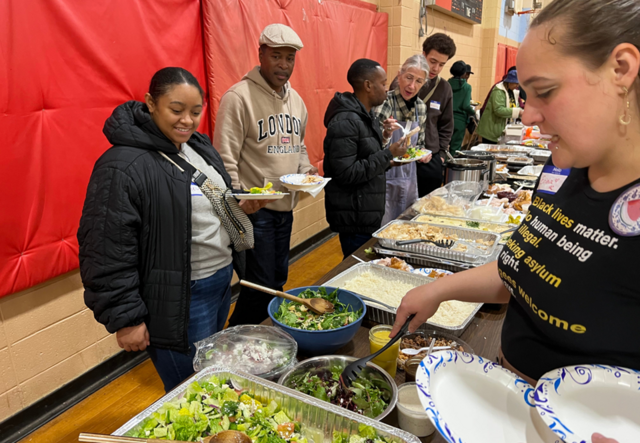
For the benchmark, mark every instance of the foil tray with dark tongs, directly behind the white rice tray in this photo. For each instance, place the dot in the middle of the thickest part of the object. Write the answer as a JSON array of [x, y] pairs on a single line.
[[474, 254]]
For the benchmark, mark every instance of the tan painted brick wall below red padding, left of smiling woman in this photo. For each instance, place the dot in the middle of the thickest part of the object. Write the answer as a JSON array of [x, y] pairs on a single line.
[[47, 338]]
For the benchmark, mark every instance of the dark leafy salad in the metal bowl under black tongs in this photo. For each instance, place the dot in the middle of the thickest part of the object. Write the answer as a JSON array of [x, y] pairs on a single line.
[[364, 396]]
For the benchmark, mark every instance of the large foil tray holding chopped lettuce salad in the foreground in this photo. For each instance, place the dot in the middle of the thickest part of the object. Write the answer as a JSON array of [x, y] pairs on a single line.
[[319, 419]]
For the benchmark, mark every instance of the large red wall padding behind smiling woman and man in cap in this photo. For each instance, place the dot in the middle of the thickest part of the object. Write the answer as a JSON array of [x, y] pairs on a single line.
[[66, 64]]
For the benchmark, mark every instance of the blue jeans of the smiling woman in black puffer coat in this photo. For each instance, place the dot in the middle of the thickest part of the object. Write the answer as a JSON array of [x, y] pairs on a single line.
[[210, 302]]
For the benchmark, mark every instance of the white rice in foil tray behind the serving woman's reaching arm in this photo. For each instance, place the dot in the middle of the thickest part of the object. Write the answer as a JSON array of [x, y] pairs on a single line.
[[450, 313]]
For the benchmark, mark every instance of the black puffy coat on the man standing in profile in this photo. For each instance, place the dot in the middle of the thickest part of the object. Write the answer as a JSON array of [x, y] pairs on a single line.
[[356, 162]]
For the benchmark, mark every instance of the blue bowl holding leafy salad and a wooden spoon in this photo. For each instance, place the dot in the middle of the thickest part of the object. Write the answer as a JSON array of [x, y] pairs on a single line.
[[312, 343]]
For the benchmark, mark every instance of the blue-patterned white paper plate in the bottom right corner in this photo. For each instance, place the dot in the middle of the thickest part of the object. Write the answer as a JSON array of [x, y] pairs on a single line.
[[577, 401]]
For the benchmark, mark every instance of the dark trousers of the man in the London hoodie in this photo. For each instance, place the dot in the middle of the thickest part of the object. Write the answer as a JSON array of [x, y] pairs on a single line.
[[267, 264]]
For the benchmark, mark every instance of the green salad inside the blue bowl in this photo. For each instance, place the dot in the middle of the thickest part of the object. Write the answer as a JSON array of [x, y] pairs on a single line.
[[299, 316]]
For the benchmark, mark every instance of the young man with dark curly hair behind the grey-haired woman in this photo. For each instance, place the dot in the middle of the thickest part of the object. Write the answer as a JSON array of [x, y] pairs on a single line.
[[438, 49]]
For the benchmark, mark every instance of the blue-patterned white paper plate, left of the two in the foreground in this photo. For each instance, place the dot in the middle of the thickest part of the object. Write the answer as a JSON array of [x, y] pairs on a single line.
[[470, 399]]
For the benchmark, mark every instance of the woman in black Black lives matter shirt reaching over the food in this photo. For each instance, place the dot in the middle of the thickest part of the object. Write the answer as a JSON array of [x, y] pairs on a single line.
[[576, 53]]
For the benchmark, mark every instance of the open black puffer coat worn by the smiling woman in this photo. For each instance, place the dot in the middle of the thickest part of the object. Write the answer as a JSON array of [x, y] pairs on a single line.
[[135, 230]]
